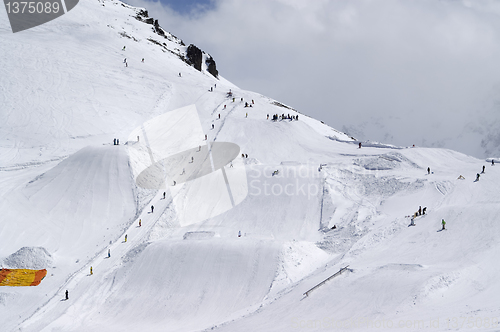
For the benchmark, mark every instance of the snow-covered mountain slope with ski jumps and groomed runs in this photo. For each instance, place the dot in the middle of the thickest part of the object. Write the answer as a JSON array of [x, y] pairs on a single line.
[[69, 196]]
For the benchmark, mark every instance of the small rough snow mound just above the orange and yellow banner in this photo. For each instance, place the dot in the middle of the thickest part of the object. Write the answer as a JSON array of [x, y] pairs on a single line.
[[35, 258]]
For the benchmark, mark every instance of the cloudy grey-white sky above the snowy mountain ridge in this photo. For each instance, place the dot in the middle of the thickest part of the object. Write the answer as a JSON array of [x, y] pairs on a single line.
[[404, 72]]
